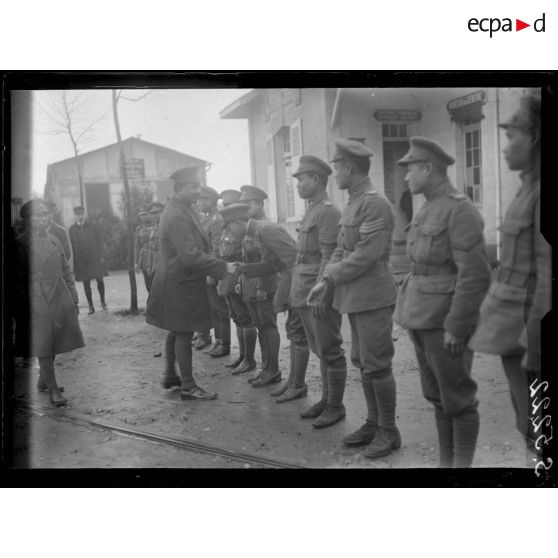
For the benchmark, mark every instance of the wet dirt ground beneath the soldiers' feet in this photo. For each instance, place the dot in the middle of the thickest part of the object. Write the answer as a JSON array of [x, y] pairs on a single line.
[[116, 379]]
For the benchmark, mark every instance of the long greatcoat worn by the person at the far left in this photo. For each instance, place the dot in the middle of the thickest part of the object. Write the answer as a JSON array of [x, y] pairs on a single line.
[[46, 296]]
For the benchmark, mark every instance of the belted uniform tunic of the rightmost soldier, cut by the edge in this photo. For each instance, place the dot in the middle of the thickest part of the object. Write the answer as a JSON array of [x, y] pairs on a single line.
[[520, 296]]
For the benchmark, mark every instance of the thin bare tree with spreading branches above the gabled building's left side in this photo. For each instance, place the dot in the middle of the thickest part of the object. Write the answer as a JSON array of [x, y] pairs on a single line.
[[71, 112]]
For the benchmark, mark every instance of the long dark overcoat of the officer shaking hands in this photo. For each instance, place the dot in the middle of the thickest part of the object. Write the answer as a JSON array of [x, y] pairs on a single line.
[[178, 298]]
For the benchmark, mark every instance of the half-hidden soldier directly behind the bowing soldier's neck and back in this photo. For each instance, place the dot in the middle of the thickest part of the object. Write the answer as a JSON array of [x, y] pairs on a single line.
[[258, 293]]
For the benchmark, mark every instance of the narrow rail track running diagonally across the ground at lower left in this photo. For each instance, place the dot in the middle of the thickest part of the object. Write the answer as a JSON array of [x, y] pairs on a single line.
[[178, 442]]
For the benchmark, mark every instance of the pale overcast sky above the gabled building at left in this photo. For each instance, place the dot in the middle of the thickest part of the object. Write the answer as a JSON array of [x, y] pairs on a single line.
[[183, 119]]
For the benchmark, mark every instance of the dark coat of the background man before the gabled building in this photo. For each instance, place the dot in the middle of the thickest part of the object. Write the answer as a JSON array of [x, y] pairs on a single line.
[[88, 251]]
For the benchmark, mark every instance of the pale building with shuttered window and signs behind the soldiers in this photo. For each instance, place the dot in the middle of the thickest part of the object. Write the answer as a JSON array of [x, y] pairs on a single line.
[[286, 123]]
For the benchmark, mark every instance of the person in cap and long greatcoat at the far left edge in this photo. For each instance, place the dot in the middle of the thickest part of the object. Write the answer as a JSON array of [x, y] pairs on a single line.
[[46, 296]]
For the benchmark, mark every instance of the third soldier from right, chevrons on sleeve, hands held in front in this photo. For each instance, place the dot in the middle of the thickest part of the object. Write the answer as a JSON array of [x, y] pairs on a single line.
[[362, 275]]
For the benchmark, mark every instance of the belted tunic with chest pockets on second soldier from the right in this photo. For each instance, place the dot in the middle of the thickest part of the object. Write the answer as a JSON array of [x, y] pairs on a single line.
[[450, 273]]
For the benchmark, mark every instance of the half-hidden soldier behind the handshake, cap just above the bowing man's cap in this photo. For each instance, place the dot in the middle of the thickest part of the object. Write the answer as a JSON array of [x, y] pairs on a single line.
[[230, 250]]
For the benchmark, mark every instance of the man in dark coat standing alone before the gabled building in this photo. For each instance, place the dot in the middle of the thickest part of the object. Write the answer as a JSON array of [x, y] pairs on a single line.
[[89, 256]]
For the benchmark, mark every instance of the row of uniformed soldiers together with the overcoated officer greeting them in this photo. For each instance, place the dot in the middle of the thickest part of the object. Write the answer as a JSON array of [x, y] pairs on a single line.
[[340, 264]]
